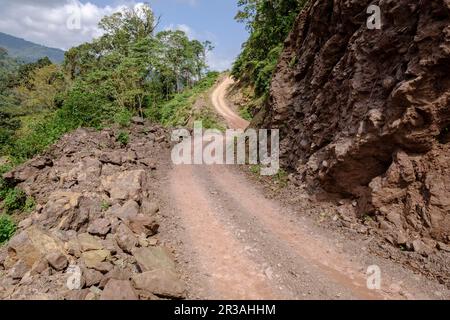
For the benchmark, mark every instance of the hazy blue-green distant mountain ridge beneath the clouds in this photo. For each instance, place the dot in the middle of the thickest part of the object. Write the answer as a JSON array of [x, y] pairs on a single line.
[[28, 51]]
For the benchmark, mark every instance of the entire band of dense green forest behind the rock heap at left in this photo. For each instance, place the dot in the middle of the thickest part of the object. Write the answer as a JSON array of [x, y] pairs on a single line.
[[131, 69]]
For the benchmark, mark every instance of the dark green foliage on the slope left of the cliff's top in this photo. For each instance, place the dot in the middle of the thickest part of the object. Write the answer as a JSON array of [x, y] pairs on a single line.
[[269, 22]]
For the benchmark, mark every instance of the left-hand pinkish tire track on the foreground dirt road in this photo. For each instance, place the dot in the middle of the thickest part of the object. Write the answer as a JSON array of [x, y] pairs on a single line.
[[231, 274]]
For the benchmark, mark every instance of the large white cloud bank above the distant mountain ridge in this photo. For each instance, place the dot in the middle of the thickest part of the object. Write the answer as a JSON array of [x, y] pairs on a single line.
[[51, 22]]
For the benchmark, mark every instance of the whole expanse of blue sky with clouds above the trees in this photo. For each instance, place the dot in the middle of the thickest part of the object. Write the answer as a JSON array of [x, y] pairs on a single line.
[[44, 22]]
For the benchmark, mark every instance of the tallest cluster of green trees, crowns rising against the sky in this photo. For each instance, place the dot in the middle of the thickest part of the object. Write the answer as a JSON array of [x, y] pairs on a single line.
[[138, 68]]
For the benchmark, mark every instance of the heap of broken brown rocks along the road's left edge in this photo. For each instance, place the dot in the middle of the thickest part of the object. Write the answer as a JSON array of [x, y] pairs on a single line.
[[93, 234]]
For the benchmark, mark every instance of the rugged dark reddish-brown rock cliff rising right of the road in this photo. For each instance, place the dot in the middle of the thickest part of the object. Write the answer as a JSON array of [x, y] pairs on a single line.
[[365, 113]]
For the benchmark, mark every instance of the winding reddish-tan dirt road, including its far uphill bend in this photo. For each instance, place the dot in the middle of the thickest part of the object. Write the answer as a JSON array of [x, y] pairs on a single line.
[[237, 244]]
